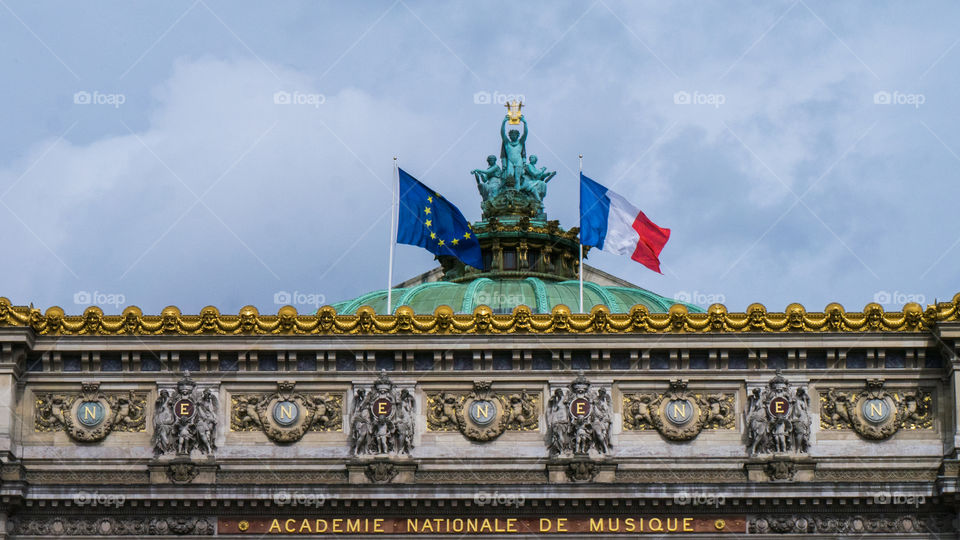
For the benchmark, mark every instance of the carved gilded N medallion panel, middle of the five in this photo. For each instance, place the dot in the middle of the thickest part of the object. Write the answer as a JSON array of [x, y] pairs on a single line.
[[481, 415]]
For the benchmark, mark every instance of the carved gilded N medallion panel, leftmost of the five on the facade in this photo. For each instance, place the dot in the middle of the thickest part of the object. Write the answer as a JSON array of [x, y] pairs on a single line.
[[91, 415]]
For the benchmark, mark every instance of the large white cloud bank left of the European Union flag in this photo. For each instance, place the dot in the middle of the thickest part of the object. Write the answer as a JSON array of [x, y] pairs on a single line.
[[289, 190]]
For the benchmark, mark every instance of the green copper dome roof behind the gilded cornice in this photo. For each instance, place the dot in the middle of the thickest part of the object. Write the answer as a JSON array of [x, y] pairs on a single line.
[[502, 295]]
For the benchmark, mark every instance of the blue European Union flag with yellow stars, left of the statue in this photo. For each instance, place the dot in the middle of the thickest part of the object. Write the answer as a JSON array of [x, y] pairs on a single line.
[[428, 220]]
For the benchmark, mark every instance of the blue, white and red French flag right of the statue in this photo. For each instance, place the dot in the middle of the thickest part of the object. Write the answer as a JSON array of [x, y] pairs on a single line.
[[611, 223]]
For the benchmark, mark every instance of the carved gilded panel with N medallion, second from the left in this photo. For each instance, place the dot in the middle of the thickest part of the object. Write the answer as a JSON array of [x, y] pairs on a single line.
[[286, 415]]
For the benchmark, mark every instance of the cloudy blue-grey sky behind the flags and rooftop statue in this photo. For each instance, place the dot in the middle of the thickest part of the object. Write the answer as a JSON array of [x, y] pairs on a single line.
[[799, 150]]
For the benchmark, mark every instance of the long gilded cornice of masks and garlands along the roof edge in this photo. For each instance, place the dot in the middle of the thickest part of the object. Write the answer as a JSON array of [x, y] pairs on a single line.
[[132, 321]]
